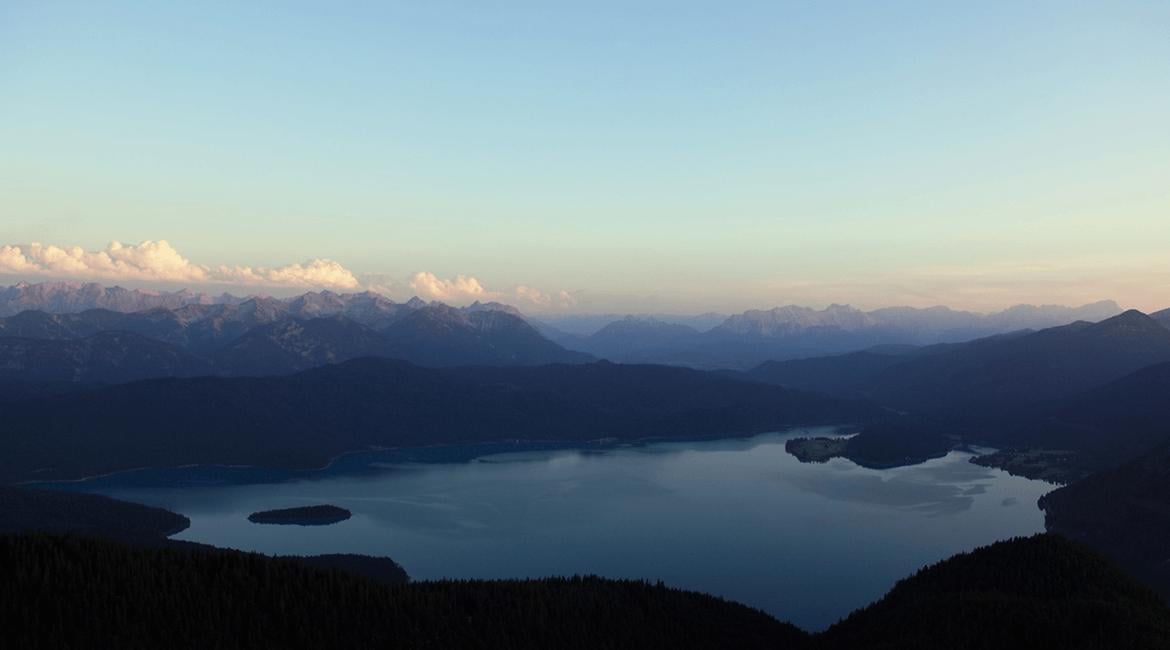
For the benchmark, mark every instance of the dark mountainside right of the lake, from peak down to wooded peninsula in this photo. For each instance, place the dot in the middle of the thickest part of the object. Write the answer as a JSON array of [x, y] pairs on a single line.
[[1059, 404]]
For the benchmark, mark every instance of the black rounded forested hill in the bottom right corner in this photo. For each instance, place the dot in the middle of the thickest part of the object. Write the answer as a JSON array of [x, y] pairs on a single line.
[[1041, 592]]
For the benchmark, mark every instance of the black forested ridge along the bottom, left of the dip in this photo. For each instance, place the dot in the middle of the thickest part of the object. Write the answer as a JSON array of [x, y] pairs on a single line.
[[78, 593]]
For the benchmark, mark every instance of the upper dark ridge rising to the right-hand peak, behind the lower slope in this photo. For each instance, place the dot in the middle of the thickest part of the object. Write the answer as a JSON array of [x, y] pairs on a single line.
[[986, 379]]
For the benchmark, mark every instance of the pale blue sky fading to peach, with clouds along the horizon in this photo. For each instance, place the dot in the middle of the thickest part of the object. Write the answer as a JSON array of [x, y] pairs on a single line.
[[591, 157]]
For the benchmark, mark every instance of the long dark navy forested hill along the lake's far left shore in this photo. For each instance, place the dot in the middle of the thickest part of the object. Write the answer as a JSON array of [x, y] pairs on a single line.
[[307, 419]]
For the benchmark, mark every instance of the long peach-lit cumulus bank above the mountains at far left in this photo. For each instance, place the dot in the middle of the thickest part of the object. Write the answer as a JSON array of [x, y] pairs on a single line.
[[159, 261]]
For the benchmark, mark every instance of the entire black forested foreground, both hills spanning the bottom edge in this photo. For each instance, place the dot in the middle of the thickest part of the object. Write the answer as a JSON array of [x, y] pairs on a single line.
[[70, 592]]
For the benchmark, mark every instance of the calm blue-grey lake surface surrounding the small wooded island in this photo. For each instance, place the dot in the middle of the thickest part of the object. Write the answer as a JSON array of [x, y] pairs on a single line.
[[739, 518]]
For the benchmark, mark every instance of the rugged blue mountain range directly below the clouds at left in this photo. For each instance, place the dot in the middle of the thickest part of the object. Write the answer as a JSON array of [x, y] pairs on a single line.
[[263, 337]]
